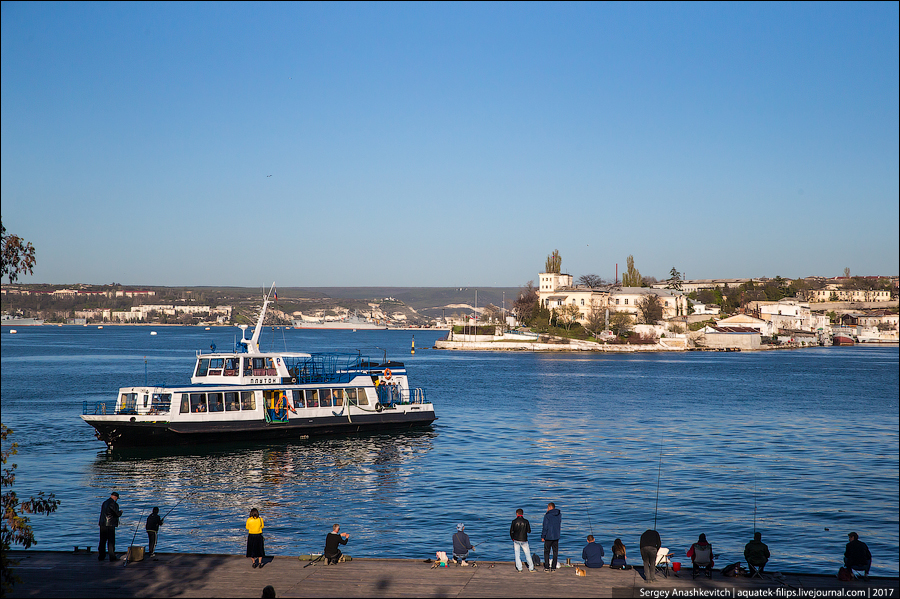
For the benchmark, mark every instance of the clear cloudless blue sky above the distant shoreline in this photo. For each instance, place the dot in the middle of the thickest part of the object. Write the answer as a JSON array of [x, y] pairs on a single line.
[[449, 144]]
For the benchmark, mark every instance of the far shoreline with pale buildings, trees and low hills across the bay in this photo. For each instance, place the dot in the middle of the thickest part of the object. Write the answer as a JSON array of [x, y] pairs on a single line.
[[676, 313]]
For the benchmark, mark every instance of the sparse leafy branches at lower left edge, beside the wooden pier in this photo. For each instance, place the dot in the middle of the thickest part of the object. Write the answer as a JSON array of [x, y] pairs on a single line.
[[15, 529]]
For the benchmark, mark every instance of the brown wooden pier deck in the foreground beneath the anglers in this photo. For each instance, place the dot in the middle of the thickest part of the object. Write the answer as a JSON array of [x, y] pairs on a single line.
[[61, 574]]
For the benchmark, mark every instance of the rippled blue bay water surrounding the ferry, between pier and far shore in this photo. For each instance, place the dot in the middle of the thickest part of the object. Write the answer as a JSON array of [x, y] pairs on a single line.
[[807, 438]]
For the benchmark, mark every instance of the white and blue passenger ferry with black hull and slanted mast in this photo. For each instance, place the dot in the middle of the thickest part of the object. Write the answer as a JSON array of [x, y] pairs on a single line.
[[252, 395]]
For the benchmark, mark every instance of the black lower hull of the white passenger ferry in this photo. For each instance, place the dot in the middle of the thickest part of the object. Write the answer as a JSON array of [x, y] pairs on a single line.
[[118, 434]]
